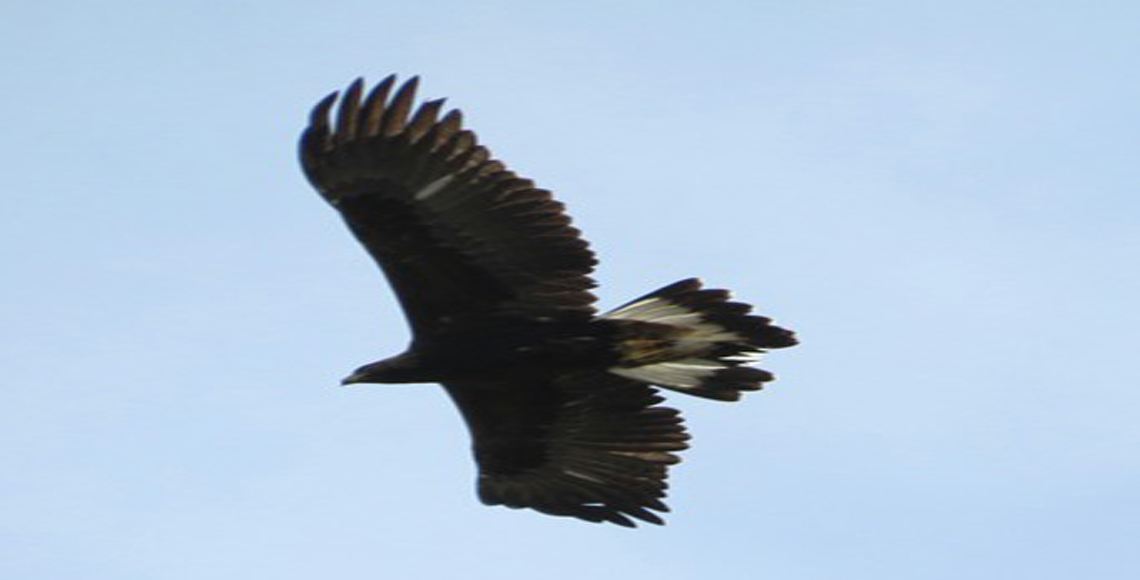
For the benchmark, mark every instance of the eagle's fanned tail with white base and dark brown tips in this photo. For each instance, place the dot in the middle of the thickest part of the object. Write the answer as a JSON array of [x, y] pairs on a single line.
[[695, 341]]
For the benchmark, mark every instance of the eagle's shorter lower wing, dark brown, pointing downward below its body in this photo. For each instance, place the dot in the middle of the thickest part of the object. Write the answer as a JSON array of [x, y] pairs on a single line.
[[587, 445]]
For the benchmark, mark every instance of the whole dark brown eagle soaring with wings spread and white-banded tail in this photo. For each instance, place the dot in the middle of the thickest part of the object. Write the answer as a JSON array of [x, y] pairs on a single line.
[[563, 403]]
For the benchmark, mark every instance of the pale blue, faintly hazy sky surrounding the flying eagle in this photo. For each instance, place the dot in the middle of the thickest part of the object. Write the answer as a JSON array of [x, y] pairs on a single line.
[[941, 198]]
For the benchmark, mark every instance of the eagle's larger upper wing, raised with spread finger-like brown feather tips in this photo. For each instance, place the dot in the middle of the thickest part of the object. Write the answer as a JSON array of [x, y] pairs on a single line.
[[453, 230]]
